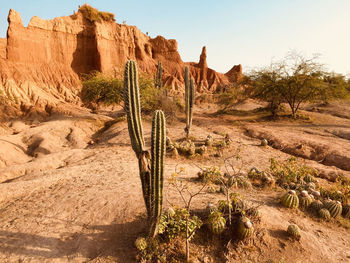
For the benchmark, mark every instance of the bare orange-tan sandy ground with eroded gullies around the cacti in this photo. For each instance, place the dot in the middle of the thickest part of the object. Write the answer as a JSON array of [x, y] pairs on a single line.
[[70, 189]]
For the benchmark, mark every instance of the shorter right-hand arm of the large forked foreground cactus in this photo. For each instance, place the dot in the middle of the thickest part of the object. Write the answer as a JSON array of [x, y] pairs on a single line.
[[157, 168]]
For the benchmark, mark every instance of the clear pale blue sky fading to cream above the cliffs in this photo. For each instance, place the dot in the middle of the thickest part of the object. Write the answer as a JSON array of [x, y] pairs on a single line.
[[247, 32]]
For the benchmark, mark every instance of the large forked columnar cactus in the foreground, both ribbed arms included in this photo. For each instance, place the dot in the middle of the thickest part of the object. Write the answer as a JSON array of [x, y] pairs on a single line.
[[151, 168]]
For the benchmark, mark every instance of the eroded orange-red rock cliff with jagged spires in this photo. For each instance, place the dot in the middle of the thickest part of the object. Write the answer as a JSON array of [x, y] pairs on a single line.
[[40, 64]]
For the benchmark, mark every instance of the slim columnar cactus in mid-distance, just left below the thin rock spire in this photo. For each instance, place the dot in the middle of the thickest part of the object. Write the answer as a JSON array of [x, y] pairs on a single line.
[[189, 100]]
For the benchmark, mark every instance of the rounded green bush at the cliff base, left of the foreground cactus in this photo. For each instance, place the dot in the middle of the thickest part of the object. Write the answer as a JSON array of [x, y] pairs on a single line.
[[99, 89]]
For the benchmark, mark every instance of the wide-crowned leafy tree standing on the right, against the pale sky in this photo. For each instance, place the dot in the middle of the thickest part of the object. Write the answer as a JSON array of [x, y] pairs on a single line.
[[294, 80]]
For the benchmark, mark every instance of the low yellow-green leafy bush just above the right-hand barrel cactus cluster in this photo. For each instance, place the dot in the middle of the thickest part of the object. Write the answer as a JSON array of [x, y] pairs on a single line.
[[289, 171]]
